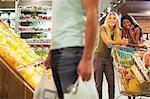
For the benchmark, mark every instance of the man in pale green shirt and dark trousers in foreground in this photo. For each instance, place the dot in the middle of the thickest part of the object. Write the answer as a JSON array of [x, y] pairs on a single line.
[[73, 39]]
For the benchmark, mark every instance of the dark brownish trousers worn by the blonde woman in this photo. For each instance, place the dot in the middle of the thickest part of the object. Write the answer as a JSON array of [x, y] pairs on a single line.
[[102, 65]]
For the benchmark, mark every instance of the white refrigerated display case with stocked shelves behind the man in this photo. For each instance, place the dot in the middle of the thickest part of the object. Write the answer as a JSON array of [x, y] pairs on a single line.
[[34, 22]]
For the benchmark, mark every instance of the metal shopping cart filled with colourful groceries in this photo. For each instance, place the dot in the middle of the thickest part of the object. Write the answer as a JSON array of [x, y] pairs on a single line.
[[133, 74]]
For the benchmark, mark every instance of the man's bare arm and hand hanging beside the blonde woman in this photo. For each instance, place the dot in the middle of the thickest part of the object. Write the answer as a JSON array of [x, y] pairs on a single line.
[[85, 65]]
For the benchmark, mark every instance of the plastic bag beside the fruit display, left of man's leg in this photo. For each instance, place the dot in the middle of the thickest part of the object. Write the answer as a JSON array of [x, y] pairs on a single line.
[[46, 89]]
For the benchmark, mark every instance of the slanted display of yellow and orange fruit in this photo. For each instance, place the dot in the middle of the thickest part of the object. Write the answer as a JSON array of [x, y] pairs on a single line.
[[17, 53]]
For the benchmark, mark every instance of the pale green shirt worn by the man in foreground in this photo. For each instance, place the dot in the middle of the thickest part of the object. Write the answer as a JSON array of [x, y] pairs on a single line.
[[69, 18]]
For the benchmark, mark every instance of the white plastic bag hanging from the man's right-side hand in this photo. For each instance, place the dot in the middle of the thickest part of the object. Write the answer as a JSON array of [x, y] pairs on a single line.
[[84, 90]]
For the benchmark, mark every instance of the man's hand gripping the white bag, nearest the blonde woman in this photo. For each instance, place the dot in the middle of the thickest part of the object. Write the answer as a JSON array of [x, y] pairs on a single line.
[[85, 69]]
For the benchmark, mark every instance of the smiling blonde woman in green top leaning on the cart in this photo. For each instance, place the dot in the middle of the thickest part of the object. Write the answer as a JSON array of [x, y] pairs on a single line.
[[109, 35]]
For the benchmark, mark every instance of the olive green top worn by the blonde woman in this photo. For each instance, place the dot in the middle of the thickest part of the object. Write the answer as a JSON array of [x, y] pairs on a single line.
[[102, 49]]
